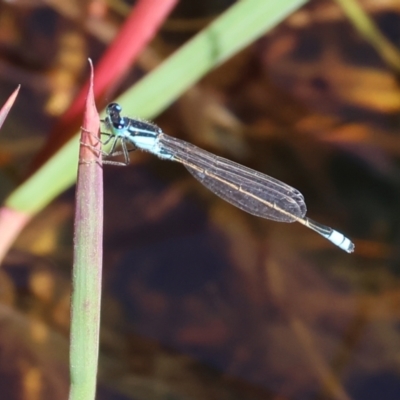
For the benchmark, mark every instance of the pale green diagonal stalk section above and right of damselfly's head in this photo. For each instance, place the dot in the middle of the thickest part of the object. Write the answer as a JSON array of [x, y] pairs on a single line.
[[239, 26]]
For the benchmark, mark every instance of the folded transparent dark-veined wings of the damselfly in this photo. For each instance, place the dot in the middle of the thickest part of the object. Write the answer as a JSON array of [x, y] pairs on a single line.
[[249, 190]]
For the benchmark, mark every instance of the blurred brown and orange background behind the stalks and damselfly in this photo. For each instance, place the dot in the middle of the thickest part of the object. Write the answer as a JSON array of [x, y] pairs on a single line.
[[201, 300]]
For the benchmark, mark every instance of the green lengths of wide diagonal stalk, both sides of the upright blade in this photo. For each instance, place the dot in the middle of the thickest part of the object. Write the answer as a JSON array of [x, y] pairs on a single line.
[[236, 28]]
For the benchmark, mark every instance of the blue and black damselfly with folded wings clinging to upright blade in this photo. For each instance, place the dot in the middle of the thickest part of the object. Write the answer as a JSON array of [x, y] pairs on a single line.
[[249, 190]]
